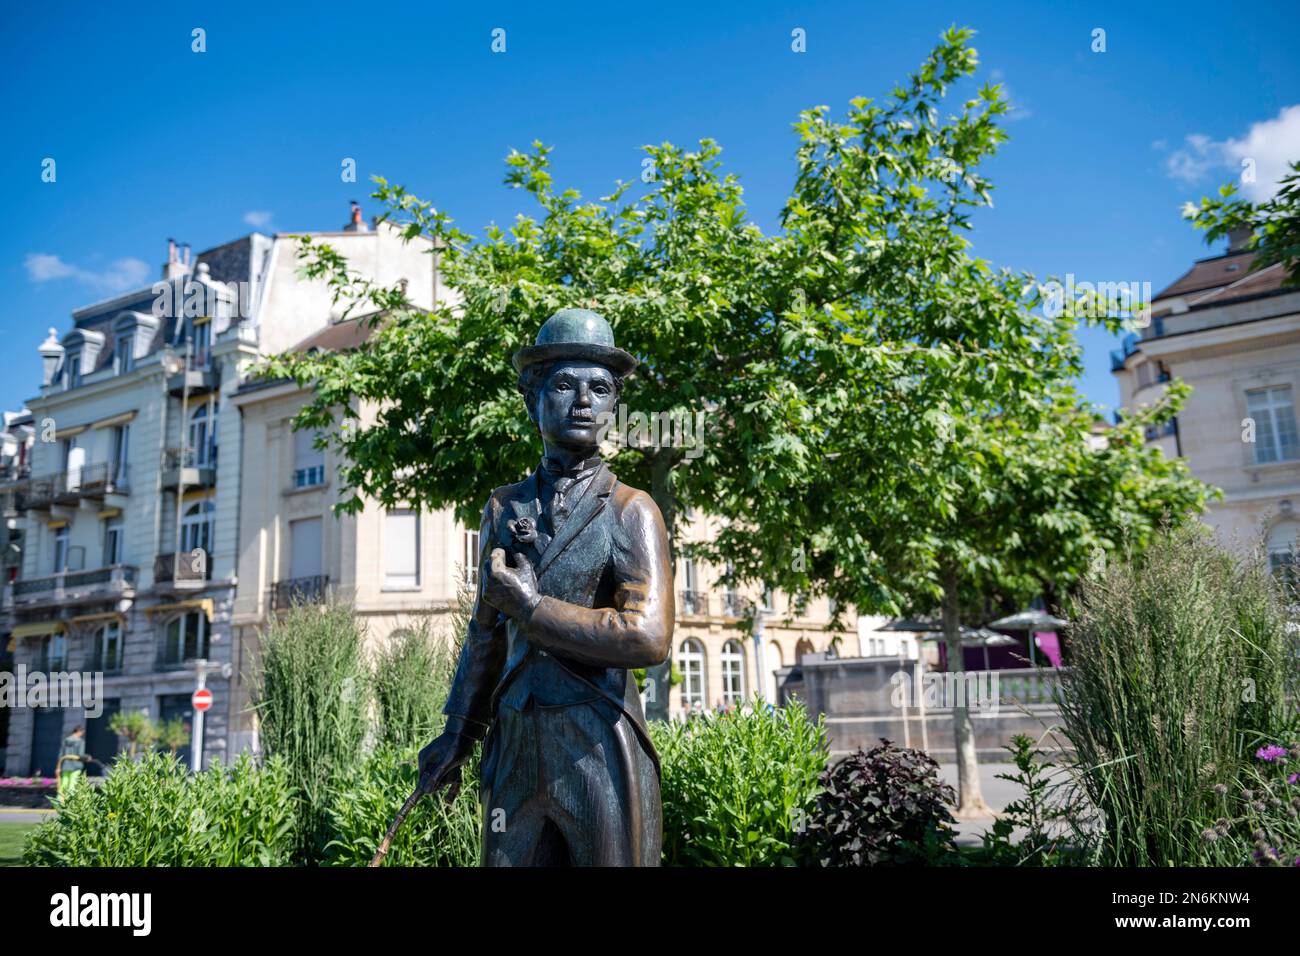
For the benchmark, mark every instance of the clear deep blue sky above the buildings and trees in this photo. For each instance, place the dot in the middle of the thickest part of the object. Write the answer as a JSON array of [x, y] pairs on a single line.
[[155, 141]]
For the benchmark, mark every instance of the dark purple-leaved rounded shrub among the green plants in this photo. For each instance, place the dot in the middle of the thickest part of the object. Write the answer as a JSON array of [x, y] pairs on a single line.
[[885, 807]]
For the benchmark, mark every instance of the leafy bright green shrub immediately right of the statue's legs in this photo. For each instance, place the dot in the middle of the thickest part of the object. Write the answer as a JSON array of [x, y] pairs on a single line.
[[738, 788]]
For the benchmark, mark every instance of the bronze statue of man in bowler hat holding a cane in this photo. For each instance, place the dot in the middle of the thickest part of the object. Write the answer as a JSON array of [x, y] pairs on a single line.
[[575, 590]]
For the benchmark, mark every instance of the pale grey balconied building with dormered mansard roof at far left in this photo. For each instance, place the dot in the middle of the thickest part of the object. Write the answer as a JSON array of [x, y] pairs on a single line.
[[131, 514]]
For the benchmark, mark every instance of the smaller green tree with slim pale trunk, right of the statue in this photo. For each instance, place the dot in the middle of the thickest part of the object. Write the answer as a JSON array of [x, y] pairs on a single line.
[[1019, 507]]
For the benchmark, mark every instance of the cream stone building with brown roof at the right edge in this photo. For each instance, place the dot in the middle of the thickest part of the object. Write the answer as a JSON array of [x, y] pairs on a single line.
[[1234, 336]]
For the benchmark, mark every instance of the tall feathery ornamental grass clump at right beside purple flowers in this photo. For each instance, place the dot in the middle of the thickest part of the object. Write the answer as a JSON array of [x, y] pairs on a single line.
[[1181, 661]]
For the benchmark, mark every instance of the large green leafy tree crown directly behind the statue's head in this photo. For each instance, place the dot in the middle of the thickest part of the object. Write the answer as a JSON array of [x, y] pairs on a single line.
[[779, 343]]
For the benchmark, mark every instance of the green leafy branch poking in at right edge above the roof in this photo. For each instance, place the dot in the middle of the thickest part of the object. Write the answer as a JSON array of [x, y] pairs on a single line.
[[1275, 224]]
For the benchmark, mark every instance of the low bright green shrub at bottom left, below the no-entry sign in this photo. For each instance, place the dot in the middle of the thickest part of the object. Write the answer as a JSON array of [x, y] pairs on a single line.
[[154, 814]]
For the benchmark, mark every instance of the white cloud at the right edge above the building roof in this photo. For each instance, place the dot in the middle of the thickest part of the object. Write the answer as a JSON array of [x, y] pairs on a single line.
[[1271, 145]]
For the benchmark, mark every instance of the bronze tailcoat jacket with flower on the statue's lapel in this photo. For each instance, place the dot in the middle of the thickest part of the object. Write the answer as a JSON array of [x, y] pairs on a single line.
[[606, 607]]
